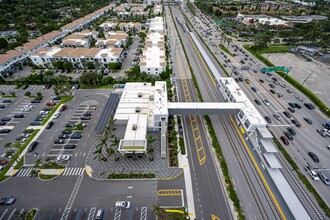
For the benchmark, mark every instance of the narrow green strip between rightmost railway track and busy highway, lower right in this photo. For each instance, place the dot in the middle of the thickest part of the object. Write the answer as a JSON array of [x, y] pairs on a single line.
[[303, 179]]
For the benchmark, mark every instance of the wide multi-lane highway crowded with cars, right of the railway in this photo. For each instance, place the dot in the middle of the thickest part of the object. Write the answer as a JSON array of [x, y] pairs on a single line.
[[306, 139]]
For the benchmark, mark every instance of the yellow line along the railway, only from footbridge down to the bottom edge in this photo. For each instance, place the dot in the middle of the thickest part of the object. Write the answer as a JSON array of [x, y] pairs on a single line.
[[258, 169]]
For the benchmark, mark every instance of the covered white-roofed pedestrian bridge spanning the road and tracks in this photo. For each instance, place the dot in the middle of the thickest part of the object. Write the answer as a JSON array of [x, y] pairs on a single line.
[[204, 108]]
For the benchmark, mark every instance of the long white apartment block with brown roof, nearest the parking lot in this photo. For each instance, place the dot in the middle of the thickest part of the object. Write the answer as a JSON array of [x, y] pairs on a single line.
[[46, 57]]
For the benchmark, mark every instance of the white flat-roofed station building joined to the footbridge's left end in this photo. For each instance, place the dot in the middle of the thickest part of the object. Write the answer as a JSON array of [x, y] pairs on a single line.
[[142, 107]]
